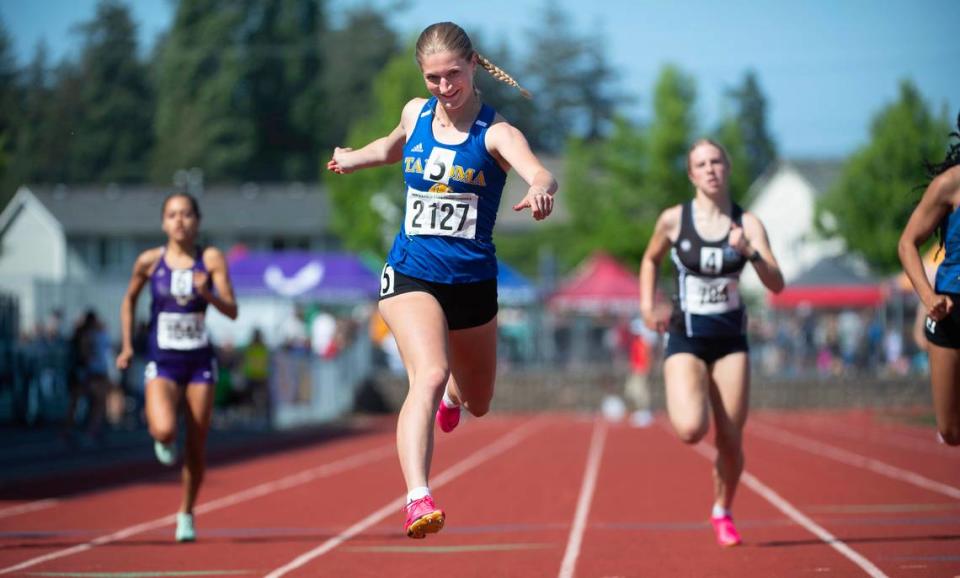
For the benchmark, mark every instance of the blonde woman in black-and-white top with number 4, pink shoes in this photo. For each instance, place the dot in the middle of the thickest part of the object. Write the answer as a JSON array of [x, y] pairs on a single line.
[[706, 364]]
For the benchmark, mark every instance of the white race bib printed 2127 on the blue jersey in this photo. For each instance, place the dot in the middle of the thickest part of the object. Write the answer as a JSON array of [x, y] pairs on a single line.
[[446, 214]]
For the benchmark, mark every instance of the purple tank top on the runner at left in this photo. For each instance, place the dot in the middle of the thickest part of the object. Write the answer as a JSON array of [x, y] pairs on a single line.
[[178, 330]]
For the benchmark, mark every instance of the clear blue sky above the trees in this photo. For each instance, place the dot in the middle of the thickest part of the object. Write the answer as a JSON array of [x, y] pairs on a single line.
[[826, 66]]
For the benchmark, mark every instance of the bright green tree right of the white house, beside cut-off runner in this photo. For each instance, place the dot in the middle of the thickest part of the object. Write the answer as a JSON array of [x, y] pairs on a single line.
[[878, 189]]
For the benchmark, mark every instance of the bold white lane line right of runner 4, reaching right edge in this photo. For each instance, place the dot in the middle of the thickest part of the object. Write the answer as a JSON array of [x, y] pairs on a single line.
[[853, 459]]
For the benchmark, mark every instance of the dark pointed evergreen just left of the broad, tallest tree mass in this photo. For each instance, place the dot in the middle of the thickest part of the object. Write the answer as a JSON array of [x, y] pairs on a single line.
[[113, 136]]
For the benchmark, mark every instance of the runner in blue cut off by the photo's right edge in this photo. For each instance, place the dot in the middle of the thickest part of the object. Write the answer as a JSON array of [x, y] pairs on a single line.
[[938, 208]]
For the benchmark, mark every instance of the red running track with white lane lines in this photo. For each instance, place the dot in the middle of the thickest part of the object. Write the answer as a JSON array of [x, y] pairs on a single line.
[[836, 494]]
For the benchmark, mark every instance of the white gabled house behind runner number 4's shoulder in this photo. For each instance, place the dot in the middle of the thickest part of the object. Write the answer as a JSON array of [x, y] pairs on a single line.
[[784, 199]]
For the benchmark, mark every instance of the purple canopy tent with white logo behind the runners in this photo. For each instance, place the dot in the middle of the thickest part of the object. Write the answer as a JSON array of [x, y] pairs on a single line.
[[331, 277]]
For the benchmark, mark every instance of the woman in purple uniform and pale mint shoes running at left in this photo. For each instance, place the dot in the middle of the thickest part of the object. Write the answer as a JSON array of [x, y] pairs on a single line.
[[184, 278]]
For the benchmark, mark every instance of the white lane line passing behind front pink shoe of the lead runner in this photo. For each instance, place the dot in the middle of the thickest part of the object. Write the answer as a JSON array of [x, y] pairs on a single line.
[[505, 442]]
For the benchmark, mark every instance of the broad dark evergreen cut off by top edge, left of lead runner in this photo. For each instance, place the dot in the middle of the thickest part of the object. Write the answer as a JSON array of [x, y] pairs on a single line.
[[239, 90]]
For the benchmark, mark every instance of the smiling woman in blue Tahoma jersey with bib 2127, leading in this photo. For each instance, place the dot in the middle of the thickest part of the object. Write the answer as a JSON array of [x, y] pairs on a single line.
[[438, 290]]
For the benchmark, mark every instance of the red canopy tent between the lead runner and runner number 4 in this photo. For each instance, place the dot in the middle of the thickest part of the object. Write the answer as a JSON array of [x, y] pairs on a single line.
[[599, 284]]
